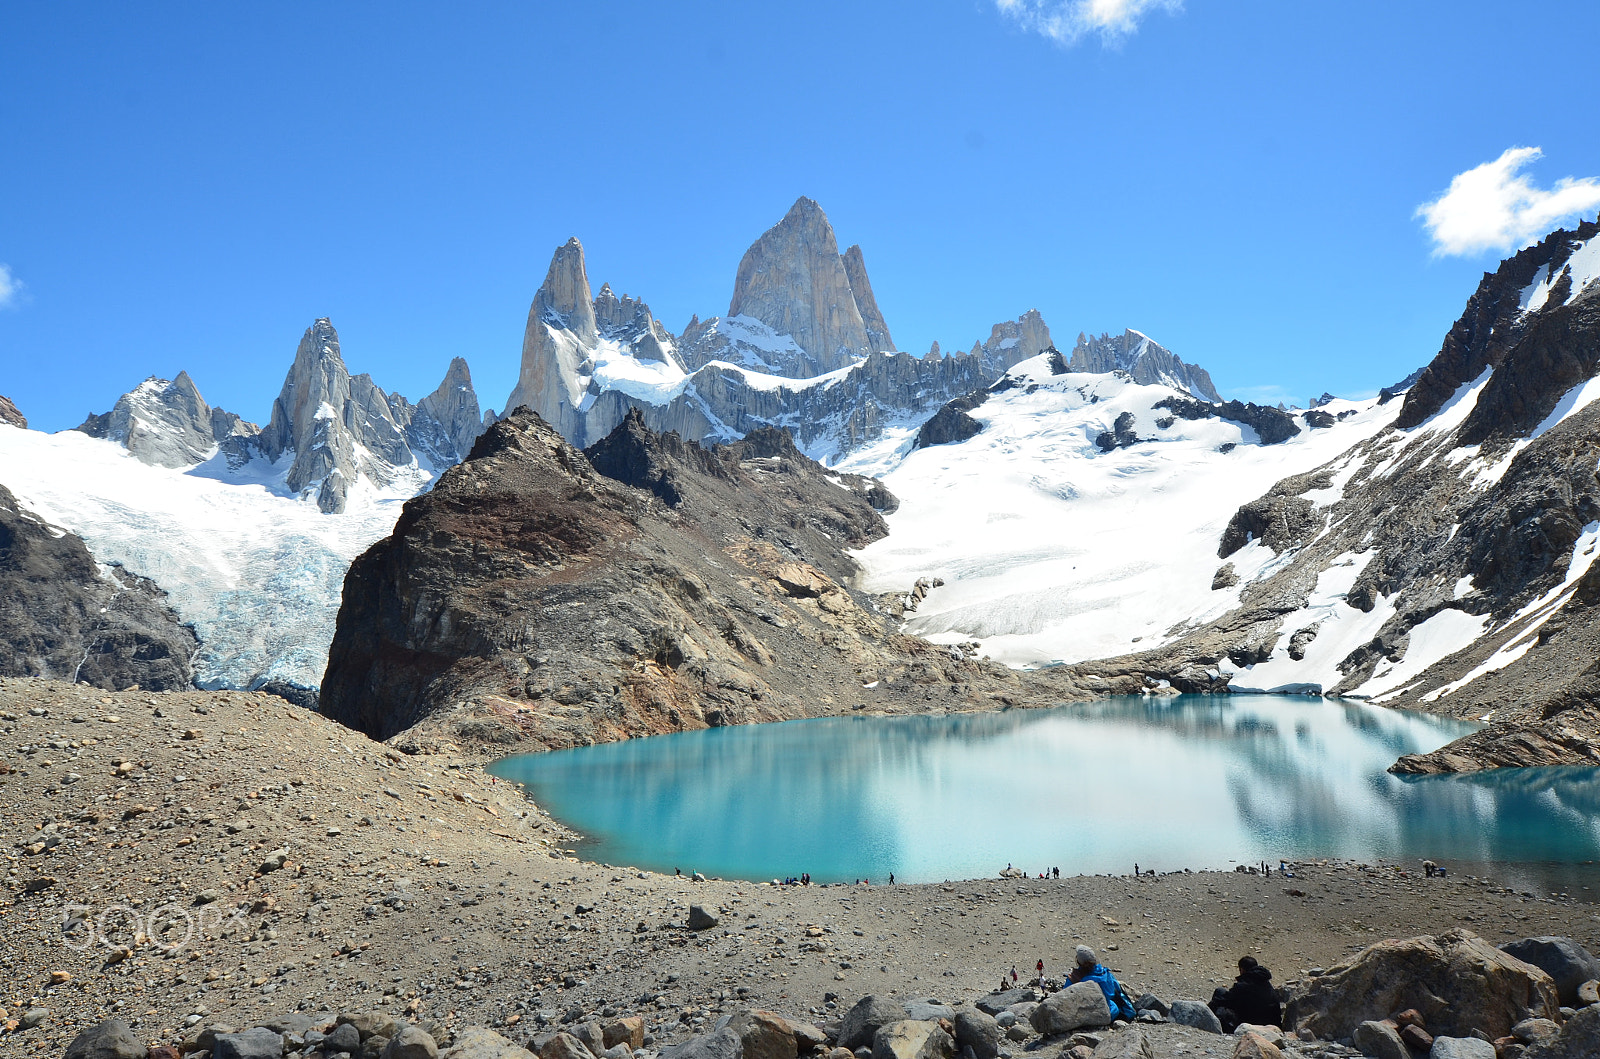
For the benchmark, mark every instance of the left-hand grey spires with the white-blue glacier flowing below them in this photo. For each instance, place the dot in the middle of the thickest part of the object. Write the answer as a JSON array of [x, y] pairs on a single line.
[[249, 530]]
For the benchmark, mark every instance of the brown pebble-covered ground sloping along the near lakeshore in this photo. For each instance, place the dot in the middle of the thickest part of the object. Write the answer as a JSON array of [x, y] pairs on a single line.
[[198, 858]]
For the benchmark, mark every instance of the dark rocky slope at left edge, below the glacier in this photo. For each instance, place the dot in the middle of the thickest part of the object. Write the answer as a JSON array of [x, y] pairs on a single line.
[[63, 618]]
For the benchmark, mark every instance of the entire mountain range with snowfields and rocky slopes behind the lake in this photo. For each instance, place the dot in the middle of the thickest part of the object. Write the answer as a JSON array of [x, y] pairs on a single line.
[[1098, 519]]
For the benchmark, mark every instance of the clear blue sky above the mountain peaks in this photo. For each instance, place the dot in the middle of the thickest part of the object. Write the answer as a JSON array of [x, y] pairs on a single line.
[[188, 186]]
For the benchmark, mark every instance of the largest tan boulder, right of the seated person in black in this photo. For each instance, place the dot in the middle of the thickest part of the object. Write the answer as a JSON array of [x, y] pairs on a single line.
[[1457, 981]]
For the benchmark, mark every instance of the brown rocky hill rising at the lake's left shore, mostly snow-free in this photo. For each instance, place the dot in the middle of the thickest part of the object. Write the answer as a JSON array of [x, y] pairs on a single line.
[[530, 599]]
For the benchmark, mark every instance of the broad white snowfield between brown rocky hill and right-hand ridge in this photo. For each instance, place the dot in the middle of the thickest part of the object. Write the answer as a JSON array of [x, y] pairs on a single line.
[[1076, 516]]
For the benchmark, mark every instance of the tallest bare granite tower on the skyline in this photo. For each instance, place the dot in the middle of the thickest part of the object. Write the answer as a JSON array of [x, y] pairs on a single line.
[[794, 282]]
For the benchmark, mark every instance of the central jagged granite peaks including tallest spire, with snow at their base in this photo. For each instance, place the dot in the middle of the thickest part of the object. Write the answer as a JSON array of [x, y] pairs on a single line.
[[804, 346]]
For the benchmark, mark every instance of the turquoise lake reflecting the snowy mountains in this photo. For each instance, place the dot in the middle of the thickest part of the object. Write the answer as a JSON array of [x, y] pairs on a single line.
[[1191, 781]]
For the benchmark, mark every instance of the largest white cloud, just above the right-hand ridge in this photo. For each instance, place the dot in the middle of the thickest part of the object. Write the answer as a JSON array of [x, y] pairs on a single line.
[[1494, 207]]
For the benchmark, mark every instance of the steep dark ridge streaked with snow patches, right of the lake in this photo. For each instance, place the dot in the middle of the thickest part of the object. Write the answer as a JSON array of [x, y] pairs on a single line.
[[1447, 562]]
